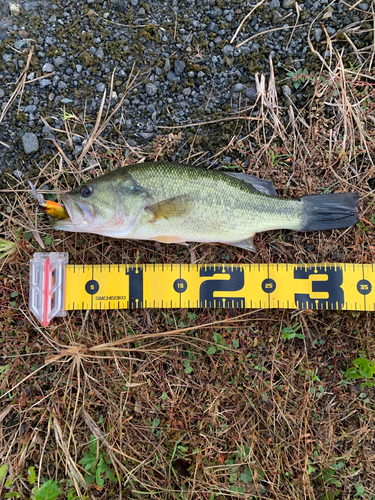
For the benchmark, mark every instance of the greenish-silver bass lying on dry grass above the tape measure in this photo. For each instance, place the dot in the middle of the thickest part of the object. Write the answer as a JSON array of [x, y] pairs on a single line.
[[178, 203]]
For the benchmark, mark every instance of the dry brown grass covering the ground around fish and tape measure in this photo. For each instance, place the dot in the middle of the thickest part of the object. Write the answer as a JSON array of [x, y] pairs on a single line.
[[261, 417]]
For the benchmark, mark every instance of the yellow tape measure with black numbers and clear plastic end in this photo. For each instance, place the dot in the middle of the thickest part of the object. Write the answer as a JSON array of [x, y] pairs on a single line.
[[307, 286]]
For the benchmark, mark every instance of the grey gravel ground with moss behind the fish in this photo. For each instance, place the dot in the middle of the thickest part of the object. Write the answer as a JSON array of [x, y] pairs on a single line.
[[191, 70]]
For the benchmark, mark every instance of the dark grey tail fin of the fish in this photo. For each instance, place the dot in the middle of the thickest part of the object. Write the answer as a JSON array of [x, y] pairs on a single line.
[[329, 211]]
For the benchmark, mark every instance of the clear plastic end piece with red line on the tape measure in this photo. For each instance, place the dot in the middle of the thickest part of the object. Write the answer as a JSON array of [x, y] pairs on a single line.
[[47, 285]]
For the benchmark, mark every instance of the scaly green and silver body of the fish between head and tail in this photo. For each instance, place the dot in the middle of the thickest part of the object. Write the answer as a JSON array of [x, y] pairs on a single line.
[[223, 207]]
